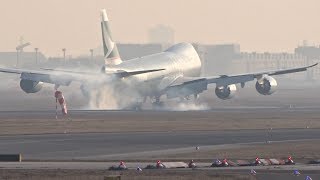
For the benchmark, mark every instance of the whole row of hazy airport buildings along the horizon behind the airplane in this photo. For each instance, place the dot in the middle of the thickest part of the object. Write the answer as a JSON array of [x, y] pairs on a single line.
[[217, 59]]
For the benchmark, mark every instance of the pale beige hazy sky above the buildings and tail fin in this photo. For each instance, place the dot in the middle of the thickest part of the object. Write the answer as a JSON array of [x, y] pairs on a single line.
[[258, 25]]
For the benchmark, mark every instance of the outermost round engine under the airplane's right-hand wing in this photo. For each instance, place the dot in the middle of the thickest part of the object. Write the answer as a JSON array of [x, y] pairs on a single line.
[[266, 86]]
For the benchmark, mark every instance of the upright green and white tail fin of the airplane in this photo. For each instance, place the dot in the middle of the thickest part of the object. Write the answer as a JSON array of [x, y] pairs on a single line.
[[111, 53]]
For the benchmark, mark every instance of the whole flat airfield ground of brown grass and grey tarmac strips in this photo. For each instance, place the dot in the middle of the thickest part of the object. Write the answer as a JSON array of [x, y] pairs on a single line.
[[240, 127]]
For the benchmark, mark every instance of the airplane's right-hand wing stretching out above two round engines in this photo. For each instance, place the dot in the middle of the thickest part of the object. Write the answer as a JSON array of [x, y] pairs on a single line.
[[184, 86]]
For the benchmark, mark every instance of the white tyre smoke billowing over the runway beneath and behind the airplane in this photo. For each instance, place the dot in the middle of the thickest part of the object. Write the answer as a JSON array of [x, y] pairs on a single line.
[[105, 93]]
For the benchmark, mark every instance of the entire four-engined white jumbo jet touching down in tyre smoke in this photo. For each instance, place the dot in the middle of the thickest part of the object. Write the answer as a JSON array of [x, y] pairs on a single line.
[[174, 73]]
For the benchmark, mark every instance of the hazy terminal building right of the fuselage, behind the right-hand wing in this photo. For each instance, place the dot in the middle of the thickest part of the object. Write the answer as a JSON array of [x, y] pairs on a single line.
[[228, 59]]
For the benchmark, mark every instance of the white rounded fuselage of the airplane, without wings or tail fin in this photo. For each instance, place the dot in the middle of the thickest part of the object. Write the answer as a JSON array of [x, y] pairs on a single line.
[[177, 61]]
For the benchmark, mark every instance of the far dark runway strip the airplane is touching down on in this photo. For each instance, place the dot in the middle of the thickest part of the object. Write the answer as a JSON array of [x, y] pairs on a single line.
[[149, 113]]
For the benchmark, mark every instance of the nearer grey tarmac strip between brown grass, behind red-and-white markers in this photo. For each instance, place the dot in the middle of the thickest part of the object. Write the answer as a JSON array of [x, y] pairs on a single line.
[[106, 146]]
